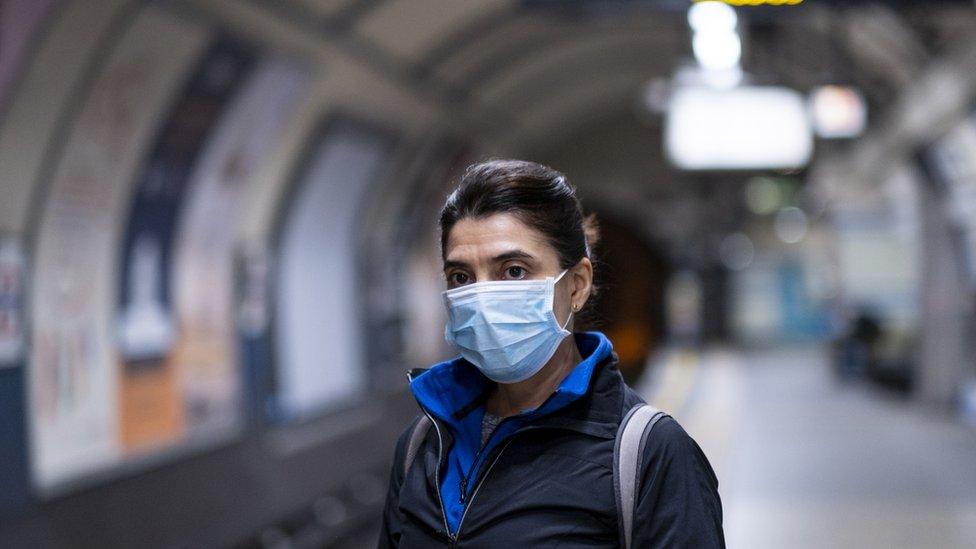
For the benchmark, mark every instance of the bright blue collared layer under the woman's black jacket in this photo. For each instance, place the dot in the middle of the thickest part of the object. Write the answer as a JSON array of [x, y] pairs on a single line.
[[454, 391]]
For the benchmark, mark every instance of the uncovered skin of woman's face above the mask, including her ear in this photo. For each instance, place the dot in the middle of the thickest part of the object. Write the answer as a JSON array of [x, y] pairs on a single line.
[[501, 247]]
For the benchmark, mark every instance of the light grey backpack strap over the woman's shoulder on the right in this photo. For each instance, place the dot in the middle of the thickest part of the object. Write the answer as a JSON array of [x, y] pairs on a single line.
[[627, 453]]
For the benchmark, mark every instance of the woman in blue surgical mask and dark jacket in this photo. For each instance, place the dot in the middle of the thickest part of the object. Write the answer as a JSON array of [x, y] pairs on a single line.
[[521, 447]]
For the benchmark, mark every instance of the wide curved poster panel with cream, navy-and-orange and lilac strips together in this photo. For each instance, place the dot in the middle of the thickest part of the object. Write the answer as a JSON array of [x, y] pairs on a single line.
[[136, 353]]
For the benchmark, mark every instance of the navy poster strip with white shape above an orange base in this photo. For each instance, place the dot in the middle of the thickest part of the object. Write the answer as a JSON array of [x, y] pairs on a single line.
[[153, 346]]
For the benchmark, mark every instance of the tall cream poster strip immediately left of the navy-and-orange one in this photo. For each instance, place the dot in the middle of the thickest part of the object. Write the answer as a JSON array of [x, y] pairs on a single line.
[[72, 363]]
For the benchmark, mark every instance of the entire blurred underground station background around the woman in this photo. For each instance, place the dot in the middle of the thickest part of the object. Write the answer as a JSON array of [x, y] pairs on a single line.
[[218, 252]]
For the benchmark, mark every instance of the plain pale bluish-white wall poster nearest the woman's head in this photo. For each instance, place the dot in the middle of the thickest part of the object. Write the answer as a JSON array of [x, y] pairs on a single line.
[[318, 324]]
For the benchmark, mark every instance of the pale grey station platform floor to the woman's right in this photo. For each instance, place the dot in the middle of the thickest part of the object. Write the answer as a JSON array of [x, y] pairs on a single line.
[[804, 460]]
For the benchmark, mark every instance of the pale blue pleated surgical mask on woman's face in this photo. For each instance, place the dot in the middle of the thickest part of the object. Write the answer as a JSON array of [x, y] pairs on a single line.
[[506, 328]]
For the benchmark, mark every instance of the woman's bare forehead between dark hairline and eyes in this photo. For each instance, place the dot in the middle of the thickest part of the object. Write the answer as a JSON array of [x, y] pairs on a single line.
[[482, 238]]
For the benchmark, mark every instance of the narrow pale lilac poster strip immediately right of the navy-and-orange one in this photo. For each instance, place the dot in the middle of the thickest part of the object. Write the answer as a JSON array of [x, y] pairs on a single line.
[[205, 350]]
